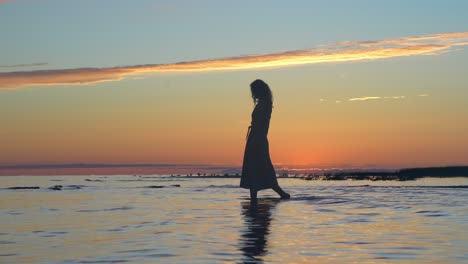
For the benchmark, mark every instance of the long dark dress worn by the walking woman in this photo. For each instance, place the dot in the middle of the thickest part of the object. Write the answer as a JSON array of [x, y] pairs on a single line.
[[258, 172]]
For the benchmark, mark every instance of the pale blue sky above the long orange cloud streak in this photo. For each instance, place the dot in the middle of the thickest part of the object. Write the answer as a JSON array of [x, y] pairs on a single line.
[[89, 33]]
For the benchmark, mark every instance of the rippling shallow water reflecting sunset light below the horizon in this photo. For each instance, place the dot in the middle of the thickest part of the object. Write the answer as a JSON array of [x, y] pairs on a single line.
[[119, 219]]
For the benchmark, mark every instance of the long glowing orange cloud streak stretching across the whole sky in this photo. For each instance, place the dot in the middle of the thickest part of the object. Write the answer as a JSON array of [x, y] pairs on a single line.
[[339, 52]]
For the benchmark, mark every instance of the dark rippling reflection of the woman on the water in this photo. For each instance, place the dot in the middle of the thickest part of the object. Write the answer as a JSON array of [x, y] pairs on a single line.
[[257, 218]]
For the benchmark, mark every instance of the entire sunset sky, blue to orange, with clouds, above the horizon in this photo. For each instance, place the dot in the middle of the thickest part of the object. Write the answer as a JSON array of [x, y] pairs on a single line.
[[356, 84]]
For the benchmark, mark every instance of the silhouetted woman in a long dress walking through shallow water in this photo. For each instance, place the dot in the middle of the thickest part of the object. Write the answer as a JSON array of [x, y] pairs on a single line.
[[257, 170]]
